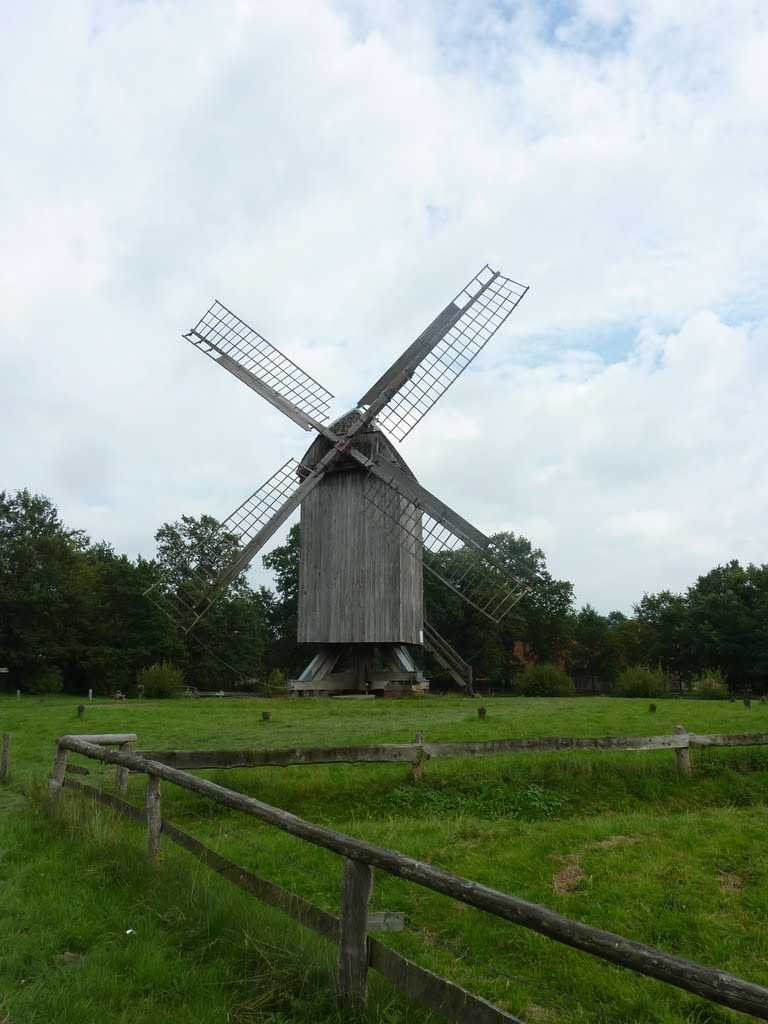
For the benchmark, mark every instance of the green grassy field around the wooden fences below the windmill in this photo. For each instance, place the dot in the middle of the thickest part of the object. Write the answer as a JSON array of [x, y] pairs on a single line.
[[620, 841]]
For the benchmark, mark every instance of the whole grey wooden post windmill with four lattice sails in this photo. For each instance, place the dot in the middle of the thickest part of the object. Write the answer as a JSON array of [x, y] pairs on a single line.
[[368, 528]]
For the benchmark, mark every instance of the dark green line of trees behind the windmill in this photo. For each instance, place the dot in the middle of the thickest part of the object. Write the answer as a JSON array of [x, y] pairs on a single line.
[[74, 616]]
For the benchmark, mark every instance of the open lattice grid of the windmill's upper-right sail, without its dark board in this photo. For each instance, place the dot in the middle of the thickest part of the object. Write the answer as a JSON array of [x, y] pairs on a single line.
[[455, 352]]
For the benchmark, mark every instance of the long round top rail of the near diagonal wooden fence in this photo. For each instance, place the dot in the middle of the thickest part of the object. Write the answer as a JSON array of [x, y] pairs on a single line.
[[718, 987]]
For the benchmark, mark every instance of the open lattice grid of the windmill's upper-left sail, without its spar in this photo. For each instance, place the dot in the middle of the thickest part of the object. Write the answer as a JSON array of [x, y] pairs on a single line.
[[220, 332]]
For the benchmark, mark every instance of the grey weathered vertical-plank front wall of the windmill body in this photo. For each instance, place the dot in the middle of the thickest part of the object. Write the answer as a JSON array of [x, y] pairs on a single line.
[[357, 582]]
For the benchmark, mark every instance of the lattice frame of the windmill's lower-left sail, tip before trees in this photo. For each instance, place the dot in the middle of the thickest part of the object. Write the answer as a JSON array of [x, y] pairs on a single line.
[[196, 593]]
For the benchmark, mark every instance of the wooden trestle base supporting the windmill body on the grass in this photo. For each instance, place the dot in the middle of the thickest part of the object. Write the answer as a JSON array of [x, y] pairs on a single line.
[[348, 670]]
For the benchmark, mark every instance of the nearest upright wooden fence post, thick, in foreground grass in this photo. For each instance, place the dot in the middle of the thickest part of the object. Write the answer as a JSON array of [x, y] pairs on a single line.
[[357, 886]]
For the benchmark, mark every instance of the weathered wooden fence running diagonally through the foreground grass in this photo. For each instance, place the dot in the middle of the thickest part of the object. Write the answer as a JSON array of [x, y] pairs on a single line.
[[358, 951]]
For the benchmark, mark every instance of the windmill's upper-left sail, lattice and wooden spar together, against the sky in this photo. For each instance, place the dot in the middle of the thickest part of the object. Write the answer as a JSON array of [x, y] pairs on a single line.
[[263, 367]]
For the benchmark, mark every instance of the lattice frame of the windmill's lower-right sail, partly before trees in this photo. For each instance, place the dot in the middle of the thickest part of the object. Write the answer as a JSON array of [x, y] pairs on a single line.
[[477, 576]]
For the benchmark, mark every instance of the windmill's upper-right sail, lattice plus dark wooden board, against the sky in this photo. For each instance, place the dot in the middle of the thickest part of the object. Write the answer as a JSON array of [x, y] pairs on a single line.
[[422, 375]]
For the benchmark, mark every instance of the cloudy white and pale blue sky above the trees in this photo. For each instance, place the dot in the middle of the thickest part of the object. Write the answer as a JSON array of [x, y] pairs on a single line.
[[335, 173]]
